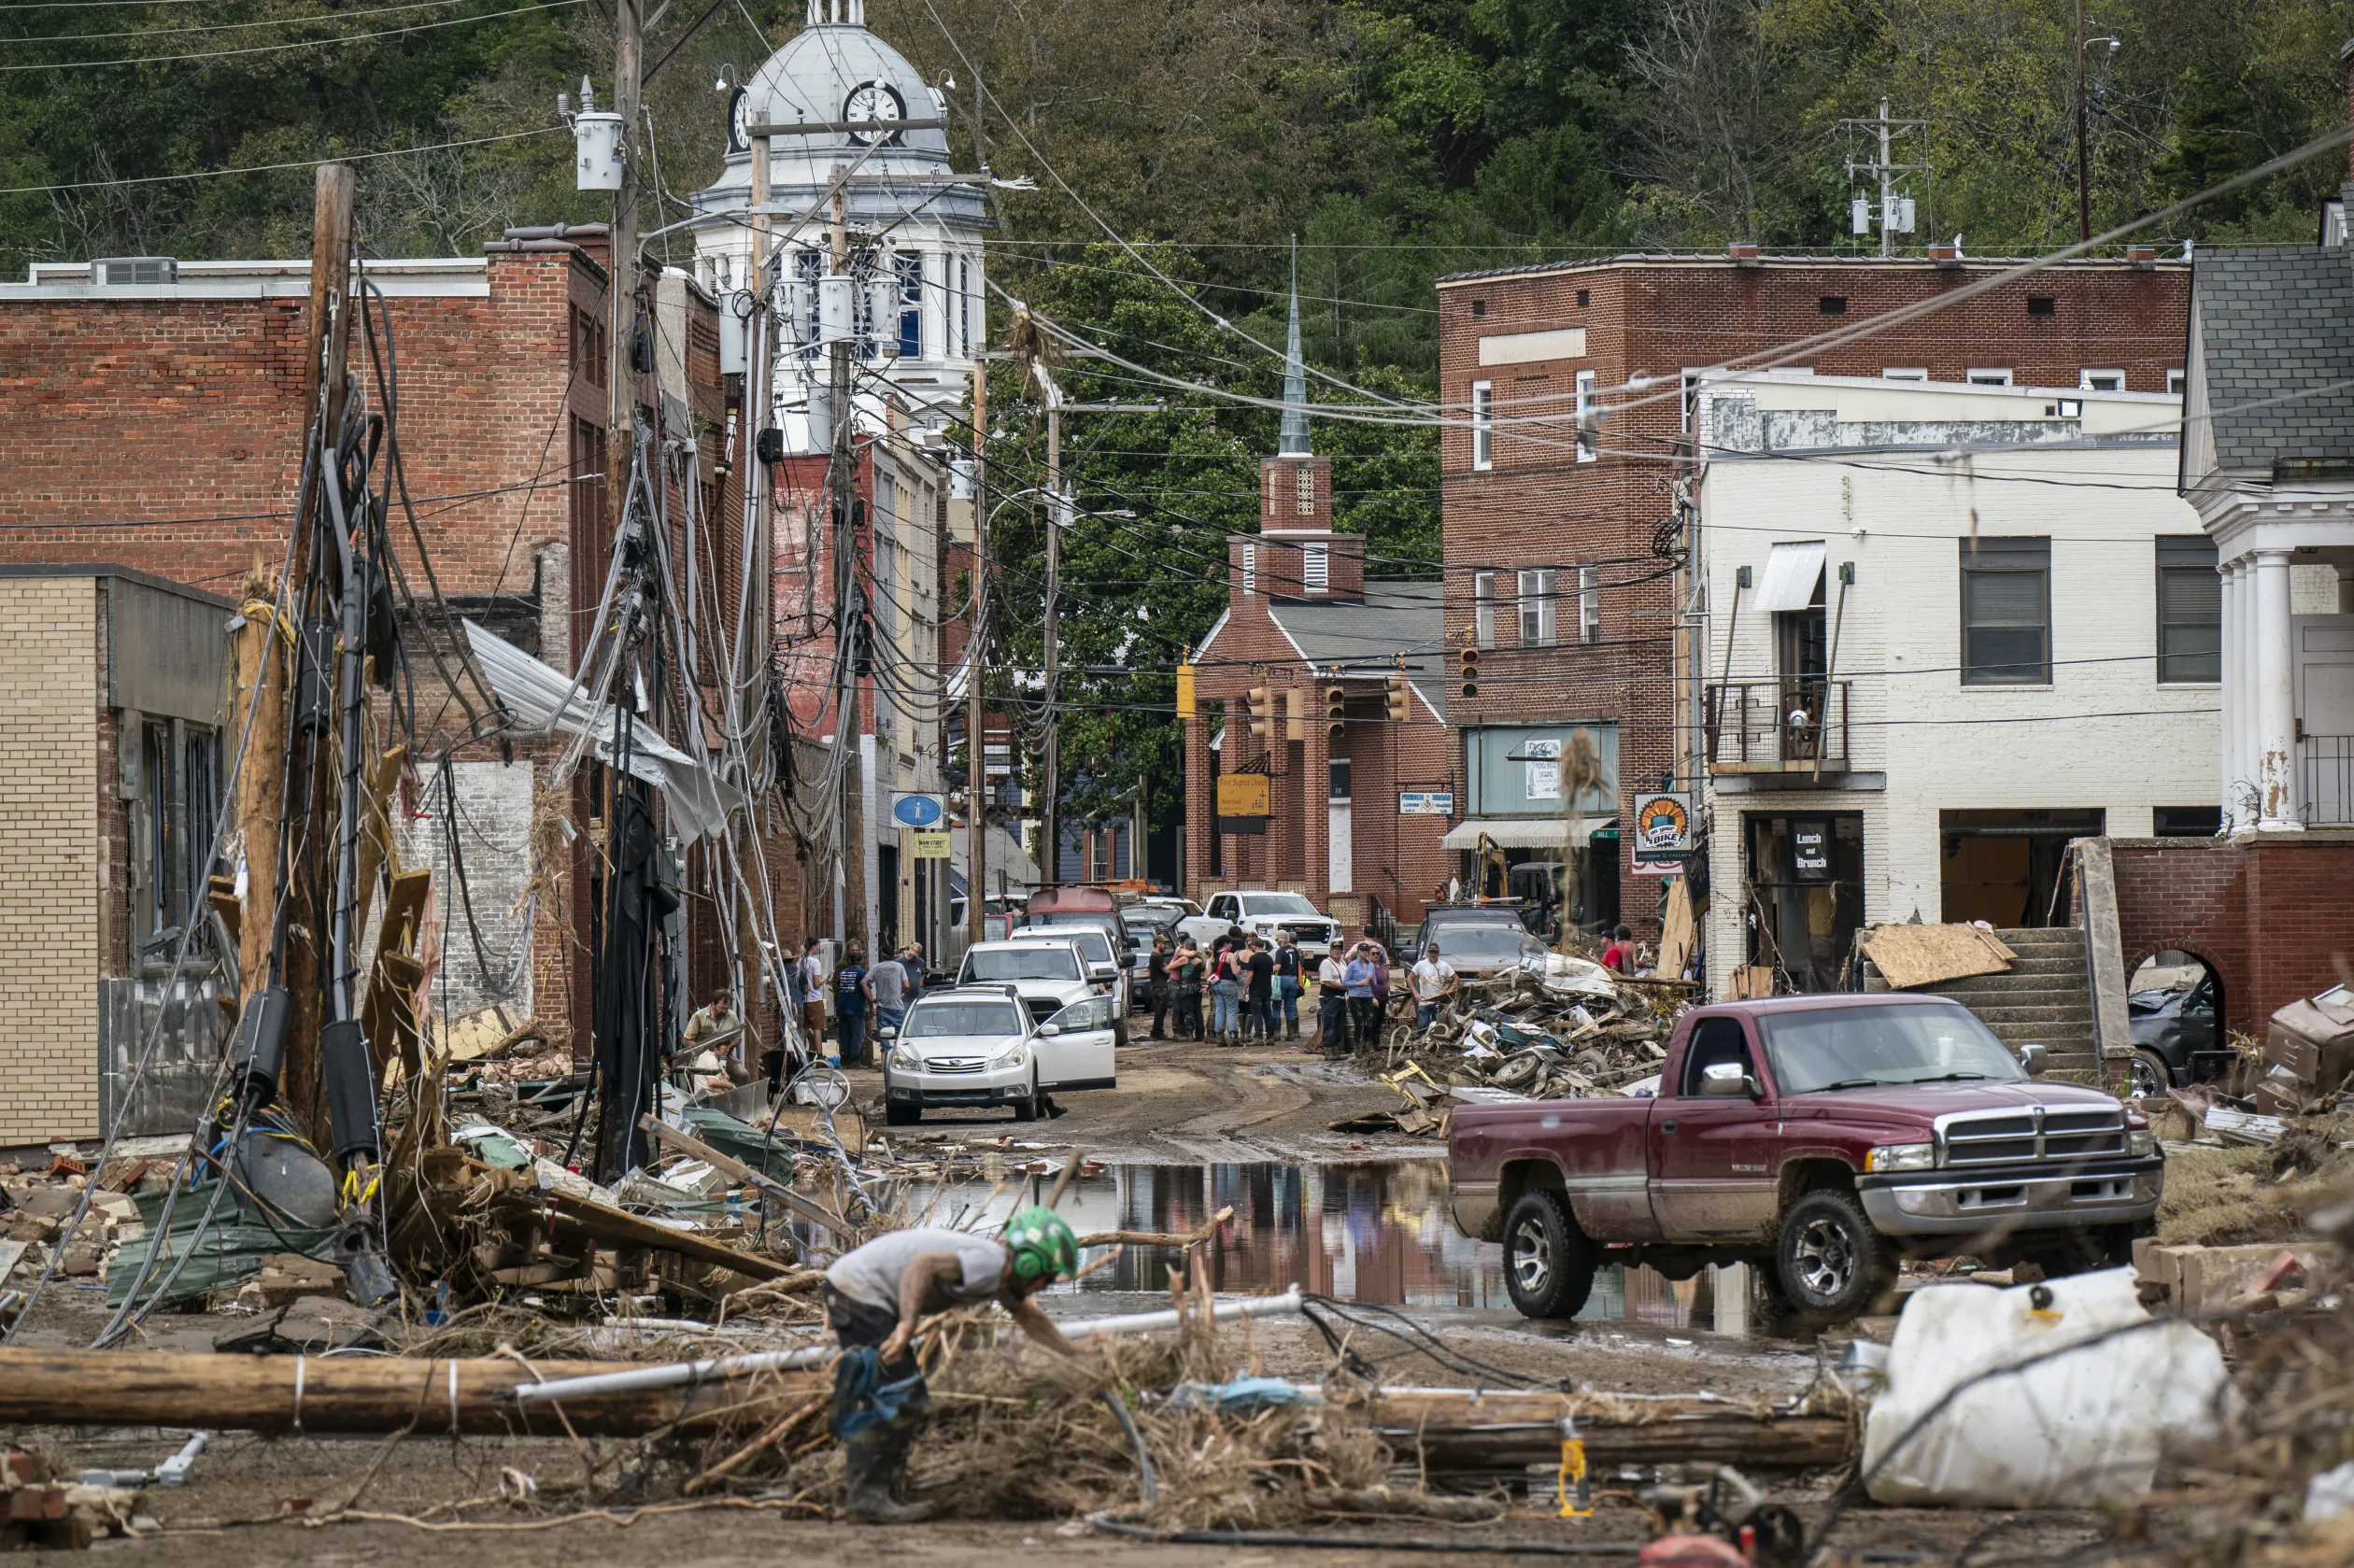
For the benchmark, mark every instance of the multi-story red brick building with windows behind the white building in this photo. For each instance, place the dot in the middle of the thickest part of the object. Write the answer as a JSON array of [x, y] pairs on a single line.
[[1560, 481]]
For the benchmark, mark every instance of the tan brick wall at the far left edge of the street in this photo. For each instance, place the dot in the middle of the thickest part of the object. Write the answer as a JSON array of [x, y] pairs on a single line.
[[51, 891]]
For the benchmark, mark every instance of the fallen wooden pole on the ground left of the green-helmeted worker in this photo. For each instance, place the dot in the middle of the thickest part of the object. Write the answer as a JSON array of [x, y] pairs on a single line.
[[284, 1395]]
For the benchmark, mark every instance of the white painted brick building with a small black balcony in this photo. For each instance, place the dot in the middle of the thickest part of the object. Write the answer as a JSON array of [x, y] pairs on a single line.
[[1906, 724]]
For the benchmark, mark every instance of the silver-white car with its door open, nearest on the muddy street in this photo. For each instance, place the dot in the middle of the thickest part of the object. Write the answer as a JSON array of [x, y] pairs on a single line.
[[978, 1047]]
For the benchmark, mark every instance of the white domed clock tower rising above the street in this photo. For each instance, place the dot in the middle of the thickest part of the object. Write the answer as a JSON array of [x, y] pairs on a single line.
[[917, 230]]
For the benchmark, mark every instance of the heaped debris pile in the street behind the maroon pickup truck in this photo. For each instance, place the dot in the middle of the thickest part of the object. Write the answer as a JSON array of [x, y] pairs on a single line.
[[1562, 1028]]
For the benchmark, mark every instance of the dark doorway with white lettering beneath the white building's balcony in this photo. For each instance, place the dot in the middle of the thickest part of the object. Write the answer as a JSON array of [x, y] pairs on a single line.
[[1807, 896]]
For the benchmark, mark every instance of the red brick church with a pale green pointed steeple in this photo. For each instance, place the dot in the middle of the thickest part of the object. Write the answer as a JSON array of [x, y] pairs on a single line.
[[1352, 712]]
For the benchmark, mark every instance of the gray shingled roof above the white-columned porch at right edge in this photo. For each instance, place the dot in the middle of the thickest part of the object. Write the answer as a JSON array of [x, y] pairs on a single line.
[[2273, 321]]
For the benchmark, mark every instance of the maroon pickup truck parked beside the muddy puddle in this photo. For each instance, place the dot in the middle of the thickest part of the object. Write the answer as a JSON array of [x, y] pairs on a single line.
[[1823, 1136]]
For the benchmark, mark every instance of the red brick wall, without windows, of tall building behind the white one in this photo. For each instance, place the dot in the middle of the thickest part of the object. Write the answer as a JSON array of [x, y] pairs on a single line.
[[1538, 507]]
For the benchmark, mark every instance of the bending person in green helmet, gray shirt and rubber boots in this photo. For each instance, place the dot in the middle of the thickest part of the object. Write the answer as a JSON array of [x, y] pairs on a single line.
[[877, 1296]]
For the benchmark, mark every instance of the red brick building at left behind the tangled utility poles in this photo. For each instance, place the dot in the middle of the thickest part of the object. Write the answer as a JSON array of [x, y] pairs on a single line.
[[192, 373]]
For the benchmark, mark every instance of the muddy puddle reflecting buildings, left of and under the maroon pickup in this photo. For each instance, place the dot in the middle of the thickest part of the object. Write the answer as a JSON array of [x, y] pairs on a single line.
[[1357, 1233]]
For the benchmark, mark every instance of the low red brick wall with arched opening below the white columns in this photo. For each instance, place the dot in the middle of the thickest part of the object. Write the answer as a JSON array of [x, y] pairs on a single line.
[[2270, 915]]
